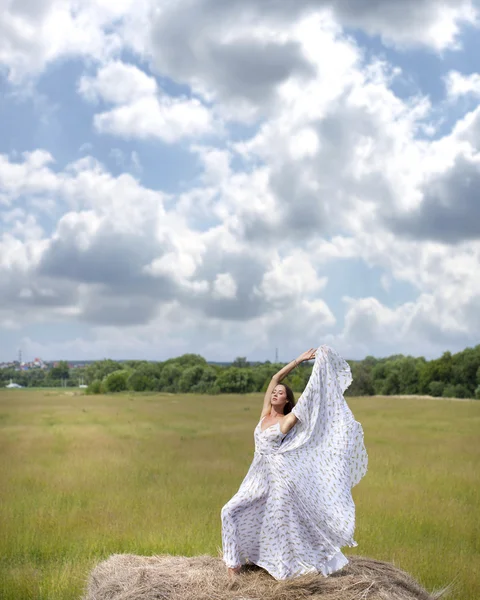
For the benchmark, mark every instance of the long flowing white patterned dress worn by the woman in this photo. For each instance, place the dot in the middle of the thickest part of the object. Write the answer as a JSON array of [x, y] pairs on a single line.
[[294, 510]]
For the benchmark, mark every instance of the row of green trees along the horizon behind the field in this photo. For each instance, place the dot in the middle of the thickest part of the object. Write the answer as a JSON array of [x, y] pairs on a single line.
[[451, 375]]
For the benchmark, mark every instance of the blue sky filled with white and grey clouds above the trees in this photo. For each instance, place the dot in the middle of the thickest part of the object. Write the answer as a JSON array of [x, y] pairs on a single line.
[[232, 178]]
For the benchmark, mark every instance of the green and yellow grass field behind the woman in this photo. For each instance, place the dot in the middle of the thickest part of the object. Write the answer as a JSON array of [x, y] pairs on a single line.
[[82, 477]]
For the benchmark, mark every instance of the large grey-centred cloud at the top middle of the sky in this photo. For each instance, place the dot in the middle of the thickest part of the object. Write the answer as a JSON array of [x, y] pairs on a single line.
[[234, 64]]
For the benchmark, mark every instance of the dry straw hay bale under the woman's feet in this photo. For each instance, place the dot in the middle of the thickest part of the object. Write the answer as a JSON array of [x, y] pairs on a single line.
[[166, 577]]
